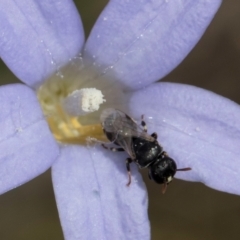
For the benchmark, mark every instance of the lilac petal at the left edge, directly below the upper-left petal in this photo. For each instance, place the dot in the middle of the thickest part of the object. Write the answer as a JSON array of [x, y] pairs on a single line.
[[27, 147]]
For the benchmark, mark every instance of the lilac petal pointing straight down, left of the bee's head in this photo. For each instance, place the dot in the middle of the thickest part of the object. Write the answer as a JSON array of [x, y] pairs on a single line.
[[93, 199]]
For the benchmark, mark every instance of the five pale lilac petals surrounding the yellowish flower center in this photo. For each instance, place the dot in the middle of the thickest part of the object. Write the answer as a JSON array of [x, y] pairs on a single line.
[[138, 42]]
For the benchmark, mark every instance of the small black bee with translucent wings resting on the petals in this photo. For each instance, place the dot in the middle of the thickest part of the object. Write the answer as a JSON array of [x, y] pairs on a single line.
[[142, 148]]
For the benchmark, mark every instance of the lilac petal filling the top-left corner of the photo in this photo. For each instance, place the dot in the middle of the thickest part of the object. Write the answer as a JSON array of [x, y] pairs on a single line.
[[38, 36]]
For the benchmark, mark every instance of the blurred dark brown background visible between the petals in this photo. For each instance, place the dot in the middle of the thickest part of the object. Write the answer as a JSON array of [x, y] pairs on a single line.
[[187, 210]]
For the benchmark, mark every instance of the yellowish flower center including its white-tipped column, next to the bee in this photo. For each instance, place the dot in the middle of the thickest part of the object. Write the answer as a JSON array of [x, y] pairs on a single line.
[[73, 99]]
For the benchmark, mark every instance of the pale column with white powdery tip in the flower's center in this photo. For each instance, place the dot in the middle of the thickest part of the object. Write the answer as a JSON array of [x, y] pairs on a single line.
[[83, 101]]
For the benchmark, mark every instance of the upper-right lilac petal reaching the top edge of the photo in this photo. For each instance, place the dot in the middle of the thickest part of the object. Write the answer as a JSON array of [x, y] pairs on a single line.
[[141, 41]]
